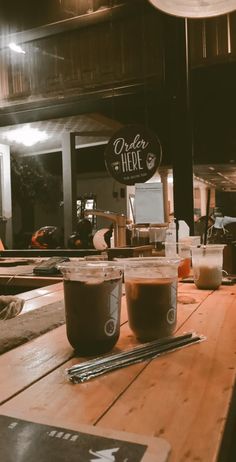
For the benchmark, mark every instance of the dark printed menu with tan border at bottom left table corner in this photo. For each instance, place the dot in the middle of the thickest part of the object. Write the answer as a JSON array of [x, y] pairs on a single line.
[[35, 442]]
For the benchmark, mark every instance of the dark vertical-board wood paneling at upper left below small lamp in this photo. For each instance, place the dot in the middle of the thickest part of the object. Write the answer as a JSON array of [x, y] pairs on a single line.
[[104, 55]]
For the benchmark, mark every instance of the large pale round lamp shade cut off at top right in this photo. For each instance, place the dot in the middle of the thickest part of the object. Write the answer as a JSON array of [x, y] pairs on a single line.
[[195, 8]]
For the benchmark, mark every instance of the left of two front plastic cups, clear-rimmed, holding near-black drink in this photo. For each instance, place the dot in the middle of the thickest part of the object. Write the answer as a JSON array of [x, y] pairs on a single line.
[[92, 294]]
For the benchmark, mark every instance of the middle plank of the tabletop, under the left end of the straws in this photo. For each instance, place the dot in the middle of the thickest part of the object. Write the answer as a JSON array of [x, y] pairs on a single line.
[[53, 395]]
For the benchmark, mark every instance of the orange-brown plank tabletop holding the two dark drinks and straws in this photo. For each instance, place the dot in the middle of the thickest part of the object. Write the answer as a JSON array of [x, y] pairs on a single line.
[[184, 396]]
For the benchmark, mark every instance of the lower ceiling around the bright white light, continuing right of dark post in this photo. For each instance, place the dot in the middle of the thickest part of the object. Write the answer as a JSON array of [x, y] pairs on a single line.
[[95, 129]]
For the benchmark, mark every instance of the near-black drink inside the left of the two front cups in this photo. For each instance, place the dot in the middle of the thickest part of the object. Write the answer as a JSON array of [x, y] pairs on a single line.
[[93, 314]]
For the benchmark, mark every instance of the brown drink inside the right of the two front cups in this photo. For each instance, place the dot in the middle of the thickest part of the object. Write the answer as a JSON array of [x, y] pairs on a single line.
[[151, 305]]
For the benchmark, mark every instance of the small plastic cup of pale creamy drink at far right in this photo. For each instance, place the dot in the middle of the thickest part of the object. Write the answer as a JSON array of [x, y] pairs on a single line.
[[207, 262]]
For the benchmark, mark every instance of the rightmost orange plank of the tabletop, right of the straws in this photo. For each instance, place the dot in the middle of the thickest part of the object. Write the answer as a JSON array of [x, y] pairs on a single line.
[[187, 394]]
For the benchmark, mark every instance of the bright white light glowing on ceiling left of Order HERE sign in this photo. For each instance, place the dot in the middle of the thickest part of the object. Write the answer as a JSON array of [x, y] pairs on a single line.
[[25, 135]]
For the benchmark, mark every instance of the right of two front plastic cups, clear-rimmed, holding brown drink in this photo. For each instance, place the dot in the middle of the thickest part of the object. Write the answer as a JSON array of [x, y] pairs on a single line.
[[151, 296]]
